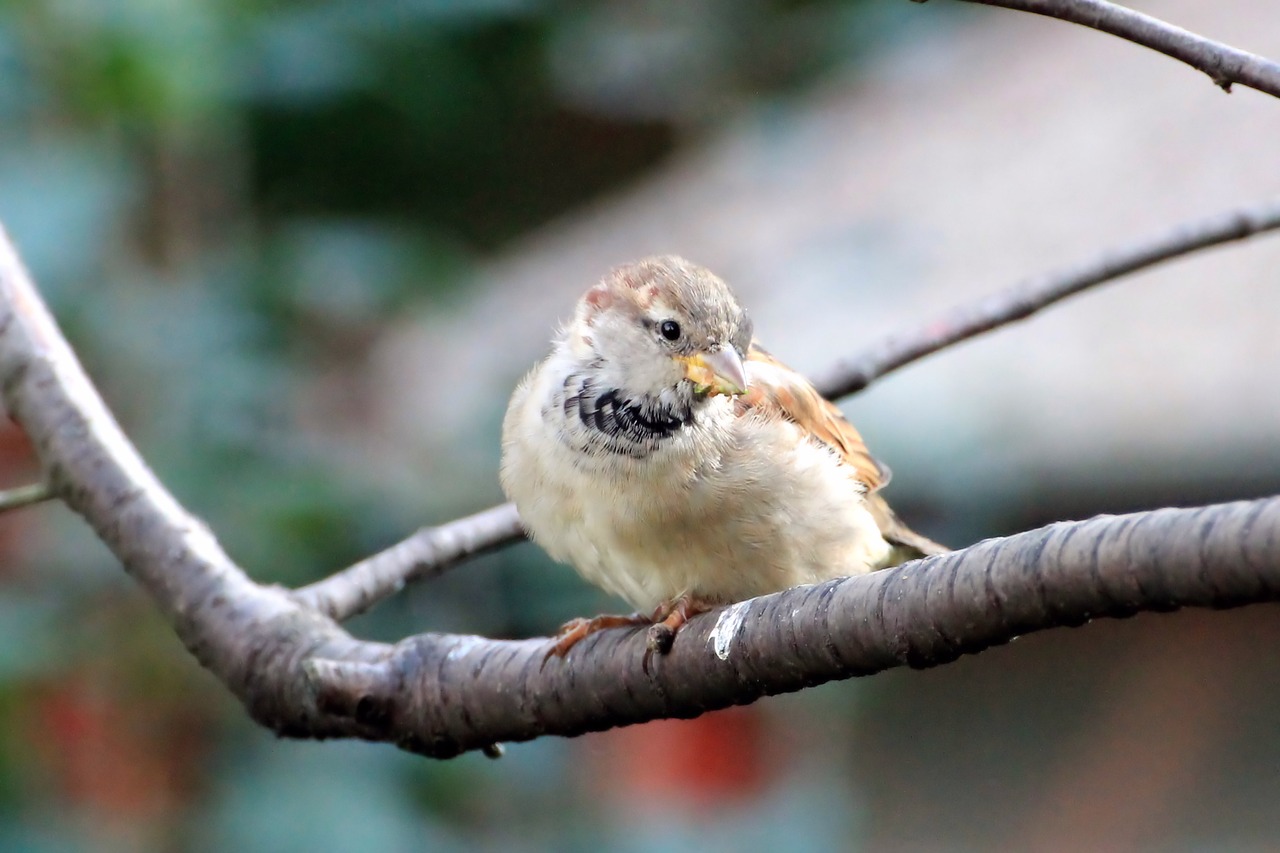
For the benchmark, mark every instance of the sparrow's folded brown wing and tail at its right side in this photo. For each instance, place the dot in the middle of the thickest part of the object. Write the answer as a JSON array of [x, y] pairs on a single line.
[[778, 389]]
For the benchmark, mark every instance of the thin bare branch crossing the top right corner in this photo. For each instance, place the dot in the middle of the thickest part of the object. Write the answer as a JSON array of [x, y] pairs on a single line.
[[1223, 63]]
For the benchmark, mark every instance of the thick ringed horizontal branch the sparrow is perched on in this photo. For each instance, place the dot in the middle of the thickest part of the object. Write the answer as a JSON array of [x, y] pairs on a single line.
[[444, 695]]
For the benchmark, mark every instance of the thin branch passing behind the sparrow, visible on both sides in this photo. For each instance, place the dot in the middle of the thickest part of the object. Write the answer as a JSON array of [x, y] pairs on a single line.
[[431, 551]]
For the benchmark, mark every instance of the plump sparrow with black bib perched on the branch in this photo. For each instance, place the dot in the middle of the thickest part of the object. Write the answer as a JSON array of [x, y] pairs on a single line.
[[676, 464]]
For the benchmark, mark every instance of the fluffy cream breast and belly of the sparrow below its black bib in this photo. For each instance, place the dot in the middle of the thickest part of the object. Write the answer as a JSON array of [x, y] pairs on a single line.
[[725, 508]]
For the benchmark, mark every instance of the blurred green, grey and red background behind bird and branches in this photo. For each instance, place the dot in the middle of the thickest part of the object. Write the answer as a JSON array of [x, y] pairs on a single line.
[[308, 249]]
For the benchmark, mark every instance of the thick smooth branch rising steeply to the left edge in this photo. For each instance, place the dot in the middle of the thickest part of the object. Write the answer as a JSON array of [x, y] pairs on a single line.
[[252, 637]]
